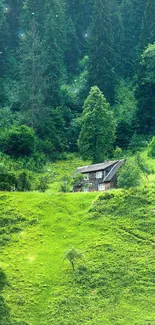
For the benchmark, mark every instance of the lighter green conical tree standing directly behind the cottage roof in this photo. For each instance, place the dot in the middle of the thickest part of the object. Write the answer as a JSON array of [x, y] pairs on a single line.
[[98, 127]]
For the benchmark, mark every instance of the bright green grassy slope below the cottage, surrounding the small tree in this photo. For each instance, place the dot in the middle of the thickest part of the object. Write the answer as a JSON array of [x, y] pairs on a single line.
[[113, 283]]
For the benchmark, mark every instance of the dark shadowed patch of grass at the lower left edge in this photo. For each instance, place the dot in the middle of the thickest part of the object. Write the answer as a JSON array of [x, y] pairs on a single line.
[[4, 310]]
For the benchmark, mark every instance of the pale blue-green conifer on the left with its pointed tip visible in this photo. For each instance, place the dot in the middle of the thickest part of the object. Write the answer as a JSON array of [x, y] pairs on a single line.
[[32, 81]]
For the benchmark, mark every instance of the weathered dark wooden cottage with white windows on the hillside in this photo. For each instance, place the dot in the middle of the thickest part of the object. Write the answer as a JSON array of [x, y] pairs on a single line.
[[98, 177]]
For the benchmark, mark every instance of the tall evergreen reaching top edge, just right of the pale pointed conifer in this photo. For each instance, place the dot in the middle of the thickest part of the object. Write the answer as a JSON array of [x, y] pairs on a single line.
[[54, 47]]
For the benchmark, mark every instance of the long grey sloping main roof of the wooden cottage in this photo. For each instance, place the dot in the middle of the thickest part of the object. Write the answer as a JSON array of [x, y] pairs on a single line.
[[95, 167]]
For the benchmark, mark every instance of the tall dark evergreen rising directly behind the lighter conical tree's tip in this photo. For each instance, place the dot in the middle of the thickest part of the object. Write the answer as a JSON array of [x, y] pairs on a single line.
[[102, 44]]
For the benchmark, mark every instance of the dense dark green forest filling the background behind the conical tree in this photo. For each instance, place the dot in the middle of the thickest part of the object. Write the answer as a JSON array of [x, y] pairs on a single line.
[[53, 52]]
